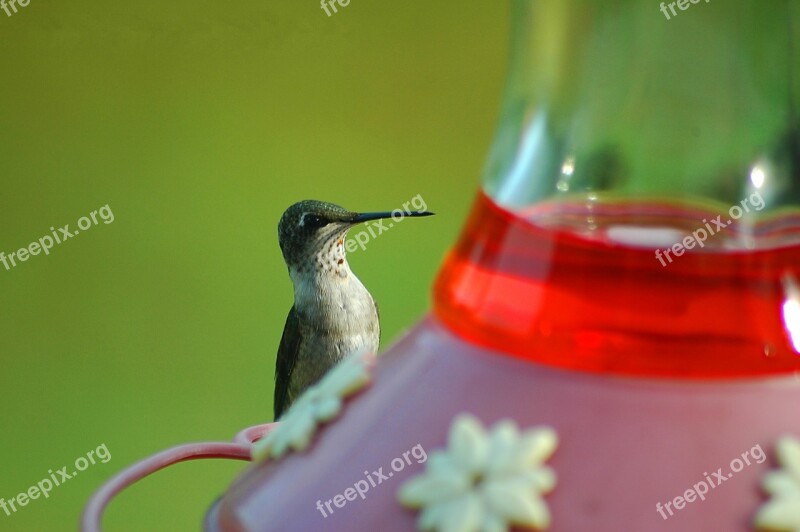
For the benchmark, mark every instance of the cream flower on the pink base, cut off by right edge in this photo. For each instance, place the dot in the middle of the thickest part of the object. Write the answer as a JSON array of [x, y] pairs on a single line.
[[782, 510]]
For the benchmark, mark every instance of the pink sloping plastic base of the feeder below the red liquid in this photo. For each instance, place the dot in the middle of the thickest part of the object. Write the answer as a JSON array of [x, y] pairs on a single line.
[[625, 444]]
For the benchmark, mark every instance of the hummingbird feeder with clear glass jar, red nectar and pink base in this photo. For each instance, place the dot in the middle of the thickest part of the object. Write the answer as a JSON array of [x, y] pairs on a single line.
[[629, 276]]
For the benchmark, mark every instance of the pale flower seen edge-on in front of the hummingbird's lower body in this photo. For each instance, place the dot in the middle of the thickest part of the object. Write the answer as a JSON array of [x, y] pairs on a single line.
[[320, 403]]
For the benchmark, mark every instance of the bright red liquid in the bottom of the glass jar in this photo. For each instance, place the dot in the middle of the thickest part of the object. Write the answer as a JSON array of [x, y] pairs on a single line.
[[555, 288]]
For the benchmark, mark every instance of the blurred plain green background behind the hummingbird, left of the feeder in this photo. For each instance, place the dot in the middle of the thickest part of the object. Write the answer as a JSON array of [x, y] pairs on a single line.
[[198, 124]]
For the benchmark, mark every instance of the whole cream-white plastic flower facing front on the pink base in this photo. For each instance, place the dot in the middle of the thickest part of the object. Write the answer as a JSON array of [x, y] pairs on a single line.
[[485, 480]]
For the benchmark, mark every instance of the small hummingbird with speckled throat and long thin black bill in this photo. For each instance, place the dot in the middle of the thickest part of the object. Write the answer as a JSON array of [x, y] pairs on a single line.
[[333, 313]]
